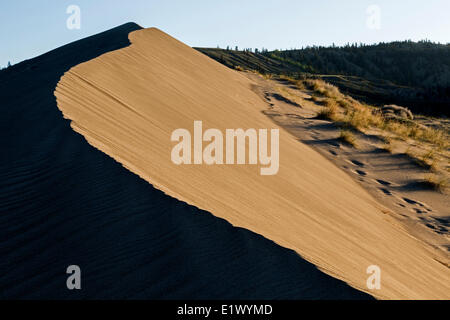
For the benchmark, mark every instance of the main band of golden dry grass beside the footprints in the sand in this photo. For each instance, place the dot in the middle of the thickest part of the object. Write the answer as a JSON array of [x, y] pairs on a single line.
[[351, 115]]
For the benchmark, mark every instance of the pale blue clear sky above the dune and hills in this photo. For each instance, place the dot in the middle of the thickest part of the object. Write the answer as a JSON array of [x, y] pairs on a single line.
[[29, 28]]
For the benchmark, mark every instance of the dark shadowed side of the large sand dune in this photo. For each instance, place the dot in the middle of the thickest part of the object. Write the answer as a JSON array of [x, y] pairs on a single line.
[[63, 202]]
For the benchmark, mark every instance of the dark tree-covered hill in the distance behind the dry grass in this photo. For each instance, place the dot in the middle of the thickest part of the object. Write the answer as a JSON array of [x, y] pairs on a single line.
[[414, 74]]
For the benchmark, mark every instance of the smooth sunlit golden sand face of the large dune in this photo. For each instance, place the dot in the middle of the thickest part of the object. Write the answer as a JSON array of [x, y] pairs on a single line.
[[127, 103]]
